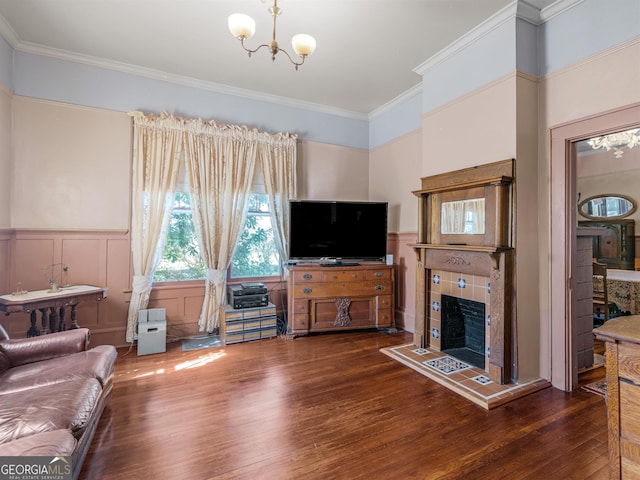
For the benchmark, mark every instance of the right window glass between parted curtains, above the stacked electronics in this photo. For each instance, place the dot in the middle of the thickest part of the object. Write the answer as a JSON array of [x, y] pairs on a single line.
[[256, 254]]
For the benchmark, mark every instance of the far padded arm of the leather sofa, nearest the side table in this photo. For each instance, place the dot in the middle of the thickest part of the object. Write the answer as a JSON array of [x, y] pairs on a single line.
[[33, 349]]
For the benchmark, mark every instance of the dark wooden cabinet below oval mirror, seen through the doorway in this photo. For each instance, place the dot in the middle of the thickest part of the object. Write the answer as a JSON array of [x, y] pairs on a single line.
[[615, 246]]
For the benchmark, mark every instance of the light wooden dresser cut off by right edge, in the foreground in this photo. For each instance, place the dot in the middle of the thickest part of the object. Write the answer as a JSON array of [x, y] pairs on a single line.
[[622, 337]]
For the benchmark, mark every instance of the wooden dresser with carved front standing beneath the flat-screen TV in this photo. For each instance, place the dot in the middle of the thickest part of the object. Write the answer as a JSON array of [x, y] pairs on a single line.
[[327, 298]]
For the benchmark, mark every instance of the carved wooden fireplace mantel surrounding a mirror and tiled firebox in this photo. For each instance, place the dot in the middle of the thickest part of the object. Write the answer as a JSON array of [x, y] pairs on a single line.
[[489, 253]]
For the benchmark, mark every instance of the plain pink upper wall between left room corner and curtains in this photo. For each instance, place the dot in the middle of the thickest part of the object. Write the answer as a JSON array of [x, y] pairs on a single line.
[[71, 167]]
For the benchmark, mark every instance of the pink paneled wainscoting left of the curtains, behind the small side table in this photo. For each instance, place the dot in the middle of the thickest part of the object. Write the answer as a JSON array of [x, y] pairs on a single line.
[[93, 257]]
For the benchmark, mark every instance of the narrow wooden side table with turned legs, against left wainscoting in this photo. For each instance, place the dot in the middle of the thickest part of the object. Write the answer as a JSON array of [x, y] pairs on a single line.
[[51, 305]]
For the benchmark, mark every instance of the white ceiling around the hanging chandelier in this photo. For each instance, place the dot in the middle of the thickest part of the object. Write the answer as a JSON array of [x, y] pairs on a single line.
[[365, 56]]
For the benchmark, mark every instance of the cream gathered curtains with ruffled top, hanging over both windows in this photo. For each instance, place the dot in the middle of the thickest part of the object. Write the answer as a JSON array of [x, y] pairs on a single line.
[[220, 163]]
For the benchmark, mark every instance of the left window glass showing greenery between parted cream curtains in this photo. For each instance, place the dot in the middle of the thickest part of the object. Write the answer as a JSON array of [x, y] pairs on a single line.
[[181, 258]]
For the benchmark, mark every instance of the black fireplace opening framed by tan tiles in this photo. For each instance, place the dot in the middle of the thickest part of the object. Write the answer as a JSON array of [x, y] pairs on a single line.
[[463, 333]]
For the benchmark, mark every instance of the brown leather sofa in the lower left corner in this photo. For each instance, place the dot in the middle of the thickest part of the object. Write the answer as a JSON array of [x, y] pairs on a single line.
[[53, 389]]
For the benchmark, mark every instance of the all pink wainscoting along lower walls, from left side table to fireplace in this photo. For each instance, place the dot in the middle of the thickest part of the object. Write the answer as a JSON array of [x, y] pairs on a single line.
[[104, 258]]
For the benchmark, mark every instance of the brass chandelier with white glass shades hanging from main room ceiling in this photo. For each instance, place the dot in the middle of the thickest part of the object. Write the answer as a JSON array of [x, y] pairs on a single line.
[[243, 27]]
